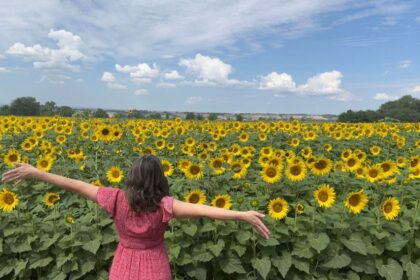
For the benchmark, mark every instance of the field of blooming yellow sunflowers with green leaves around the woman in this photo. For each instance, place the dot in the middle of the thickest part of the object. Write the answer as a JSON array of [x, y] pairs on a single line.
[[342, 201]]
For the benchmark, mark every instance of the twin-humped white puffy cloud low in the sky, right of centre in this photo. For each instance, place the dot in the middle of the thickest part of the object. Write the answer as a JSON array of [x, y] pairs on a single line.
[[327, 83]]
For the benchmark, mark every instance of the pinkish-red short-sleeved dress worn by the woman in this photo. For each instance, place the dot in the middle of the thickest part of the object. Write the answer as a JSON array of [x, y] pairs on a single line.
[[141, 252]]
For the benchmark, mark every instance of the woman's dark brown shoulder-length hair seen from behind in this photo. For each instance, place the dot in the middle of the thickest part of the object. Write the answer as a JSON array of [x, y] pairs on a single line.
[[146, 184]]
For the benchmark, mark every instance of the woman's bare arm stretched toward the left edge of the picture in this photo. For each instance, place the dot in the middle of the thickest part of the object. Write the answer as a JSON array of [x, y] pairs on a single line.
[[23, 171]]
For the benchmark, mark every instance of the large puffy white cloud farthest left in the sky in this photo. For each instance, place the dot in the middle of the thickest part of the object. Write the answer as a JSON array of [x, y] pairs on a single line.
[[60, 59]]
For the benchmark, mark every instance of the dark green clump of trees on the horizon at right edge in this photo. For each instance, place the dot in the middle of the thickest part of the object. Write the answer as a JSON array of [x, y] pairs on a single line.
[[405, 109]]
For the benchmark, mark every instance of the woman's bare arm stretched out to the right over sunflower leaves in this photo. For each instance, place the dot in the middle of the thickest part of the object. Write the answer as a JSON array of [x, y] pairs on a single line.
[[189, 210]]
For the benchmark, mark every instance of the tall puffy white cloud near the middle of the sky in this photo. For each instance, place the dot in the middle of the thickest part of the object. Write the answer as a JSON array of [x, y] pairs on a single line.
[[210, 71]]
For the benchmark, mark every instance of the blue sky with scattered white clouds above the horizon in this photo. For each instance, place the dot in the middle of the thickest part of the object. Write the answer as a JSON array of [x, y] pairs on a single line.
[[307, 56]]
